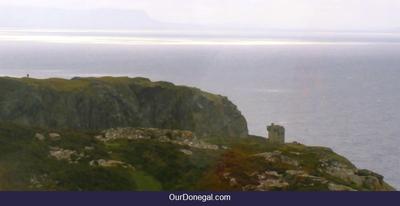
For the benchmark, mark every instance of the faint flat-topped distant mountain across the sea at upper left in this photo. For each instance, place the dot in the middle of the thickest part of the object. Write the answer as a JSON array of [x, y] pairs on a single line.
[[44, 18]]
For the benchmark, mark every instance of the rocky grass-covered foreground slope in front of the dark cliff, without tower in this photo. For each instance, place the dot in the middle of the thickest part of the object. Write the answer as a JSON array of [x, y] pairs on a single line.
[[164, 159]]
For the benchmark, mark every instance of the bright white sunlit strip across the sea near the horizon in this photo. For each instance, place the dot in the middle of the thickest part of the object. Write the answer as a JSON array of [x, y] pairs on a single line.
[[138, 40]]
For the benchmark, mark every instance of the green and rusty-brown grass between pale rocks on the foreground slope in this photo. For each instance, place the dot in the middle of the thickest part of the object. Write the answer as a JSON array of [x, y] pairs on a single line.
[[158, 166]]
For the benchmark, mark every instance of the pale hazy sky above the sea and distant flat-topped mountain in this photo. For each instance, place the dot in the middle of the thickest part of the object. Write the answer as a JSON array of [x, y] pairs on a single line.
[[282, 14]]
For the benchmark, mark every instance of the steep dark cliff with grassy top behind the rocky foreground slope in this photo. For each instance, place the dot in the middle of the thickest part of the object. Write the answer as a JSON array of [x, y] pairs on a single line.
[[101, 103]]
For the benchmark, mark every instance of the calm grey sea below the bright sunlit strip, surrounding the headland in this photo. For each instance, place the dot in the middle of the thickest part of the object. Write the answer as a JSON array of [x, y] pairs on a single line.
[[343, 96]]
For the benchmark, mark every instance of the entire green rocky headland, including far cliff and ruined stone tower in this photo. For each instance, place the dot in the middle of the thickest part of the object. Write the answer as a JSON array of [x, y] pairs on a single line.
[[89, 134]]
